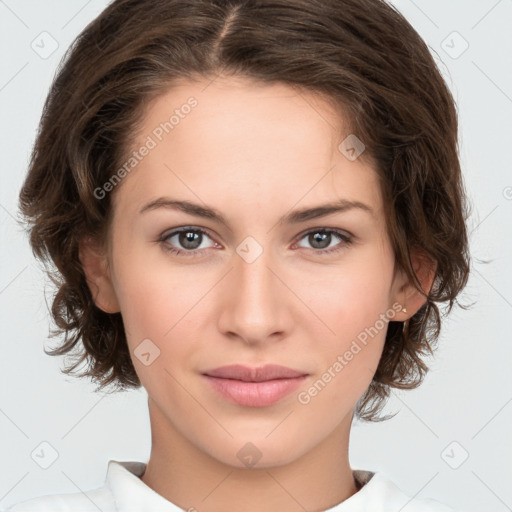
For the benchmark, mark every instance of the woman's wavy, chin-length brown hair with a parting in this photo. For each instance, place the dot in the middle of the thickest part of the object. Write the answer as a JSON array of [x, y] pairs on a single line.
[[361, 54]]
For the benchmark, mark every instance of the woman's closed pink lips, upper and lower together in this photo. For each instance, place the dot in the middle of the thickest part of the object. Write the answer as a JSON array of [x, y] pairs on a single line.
[[254, 386]]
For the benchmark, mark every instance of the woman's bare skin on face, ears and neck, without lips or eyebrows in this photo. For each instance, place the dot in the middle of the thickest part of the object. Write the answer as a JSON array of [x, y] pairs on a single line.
[[254, 153]]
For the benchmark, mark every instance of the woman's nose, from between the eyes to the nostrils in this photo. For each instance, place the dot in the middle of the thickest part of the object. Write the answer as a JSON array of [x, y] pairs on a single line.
[[255, 301]]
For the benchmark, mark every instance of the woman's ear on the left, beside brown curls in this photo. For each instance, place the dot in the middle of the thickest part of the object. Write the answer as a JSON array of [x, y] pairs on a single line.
[[94, 262]]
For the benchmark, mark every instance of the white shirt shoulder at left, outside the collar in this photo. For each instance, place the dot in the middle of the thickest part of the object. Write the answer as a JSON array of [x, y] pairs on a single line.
[[89, 501]]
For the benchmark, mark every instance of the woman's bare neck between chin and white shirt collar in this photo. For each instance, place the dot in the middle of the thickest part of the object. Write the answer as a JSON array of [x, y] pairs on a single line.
[[192, 479]]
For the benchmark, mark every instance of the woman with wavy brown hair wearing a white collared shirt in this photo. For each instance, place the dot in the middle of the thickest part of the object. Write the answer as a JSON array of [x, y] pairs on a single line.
[[255, 208]]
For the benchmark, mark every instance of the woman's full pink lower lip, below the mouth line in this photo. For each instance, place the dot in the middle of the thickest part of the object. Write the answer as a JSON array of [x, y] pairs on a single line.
[[255, 394]]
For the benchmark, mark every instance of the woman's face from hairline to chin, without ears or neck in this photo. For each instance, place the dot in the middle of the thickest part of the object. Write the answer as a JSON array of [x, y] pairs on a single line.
[[265, 285]]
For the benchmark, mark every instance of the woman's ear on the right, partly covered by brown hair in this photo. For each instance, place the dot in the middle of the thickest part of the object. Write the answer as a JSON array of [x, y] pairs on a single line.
[[408, 295]]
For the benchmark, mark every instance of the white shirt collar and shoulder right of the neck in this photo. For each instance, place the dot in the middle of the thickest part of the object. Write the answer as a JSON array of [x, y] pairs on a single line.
[[380, 494]]
